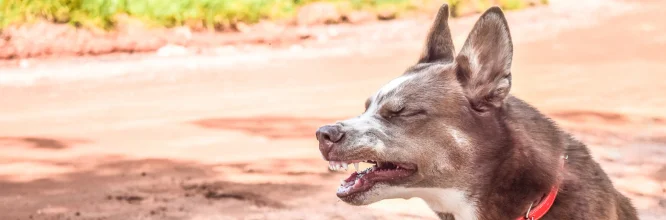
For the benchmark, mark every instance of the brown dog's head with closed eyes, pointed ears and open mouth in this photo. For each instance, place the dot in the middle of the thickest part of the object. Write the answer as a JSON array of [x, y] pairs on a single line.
[[426, 128]]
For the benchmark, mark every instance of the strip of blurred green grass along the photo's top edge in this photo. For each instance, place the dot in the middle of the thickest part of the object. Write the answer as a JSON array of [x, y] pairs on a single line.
[[213, 14]]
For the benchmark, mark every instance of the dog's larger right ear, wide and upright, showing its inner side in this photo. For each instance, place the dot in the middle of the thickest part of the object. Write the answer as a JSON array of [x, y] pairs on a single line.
[[483, 66]]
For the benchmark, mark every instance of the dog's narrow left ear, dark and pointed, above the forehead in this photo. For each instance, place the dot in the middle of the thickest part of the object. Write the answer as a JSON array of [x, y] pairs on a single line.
[[439, 45]]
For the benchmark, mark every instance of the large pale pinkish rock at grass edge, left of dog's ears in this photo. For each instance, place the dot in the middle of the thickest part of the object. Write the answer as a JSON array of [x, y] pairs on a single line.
[[318, 13]]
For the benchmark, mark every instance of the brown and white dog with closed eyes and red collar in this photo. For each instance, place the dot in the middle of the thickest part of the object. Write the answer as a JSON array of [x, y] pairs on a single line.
[[448, 131]]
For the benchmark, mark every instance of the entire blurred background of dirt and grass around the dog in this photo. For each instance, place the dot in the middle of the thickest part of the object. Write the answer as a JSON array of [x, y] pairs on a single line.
[[206, 109]]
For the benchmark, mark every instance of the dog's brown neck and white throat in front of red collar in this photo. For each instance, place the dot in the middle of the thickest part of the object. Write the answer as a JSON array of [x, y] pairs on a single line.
[[515, 177]]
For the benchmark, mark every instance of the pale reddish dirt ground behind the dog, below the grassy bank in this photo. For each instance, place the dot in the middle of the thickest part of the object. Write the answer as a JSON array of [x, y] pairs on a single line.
[[230, 135]]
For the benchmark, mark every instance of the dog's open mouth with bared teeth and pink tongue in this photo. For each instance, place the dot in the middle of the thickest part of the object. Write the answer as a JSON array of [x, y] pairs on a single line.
[[362, 181]]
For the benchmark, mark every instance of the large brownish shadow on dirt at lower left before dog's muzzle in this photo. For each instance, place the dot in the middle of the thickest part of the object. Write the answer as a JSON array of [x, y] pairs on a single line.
[[118, 188]]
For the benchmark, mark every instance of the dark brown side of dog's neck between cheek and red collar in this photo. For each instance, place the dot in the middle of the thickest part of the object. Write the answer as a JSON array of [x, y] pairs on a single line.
[[516, 176]]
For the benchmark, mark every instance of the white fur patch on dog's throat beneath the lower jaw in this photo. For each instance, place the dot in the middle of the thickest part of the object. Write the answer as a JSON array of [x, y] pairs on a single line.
[[448, 200]]
